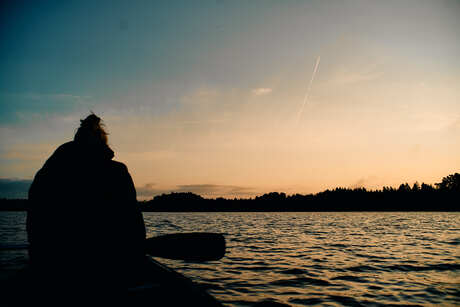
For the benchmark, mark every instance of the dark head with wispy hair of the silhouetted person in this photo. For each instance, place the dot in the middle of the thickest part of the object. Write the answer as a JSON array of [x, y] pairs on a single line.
[[91, 131]]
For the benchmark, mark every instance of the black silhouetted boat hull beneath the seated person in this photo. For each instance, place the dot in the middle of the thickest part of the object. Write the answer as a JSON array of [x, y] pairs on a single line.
[[160, 286]]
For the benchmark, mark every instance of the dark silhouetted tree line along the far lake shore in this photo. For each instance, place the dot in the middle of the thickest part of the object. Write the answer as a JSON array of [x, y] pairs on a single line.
[[443, 196]]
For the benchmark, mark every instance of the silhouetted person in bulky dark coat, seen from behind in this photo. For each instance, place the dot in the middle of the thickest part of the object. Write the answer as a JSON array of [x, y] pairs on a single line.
[[84, 226]]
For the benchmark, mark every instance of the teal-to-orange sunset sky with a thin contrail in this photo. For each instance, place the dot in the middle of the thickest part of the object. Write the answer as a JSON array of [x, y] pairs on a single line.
[[237, 98]]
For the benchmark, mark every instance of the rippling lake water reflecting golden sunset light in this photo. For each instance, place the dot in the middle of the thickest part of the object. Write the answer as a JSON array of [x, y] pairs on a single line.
[[311, 259]]
